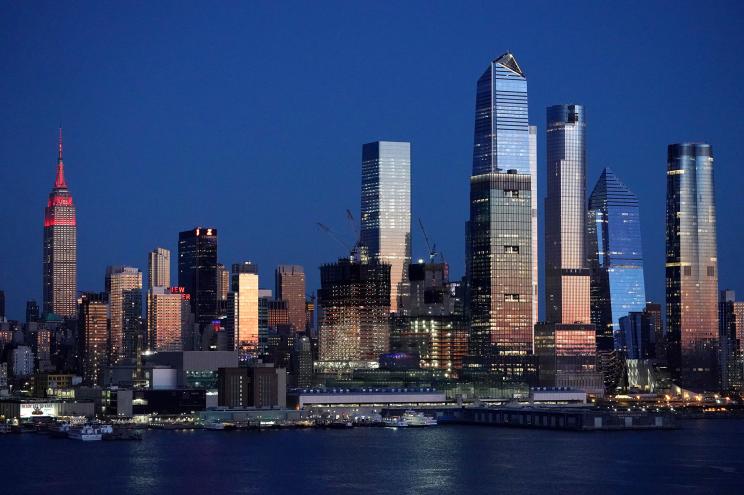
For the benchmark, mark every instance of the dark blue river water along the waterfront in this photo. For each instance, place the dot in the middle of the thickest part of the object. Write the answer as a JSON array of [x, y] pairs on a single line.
[[703, 457]]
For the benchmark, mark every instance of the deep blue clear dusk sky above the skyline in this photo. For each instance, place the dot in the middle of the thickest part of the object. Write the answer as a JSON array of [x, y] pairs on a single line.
[[250, 117]]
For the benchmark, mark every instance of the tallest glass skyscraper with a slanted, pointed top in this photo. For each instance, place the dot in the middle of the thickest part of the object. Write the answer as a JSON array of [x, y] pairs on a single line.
[[500, 276]]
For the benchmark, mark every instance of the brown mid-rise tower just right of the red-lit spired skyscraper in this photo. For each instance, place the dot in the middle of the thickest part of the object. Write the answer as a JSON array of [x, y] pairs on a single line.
[[93, 336]]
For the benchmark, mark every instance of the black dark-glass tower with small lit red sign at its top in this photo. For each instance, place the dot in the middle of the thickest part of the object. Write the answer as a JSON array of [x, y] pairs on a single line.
[[197, 272]]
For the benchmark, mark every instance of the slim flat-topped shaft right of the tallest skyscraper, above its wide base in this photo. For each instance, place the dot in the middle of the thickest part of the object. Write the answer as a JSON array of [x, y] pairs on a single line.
[[566, 273]]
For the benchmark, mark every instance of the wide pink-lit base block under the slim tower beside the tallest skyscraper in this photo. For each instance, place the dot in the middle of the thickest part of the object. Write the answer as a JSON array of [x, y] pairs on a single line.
[[567, 353]]
